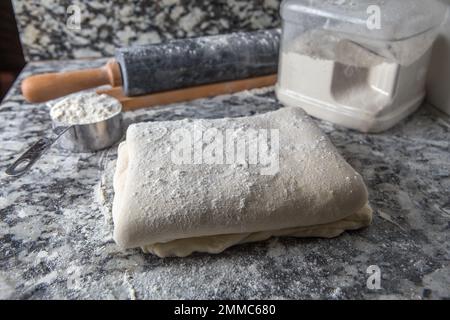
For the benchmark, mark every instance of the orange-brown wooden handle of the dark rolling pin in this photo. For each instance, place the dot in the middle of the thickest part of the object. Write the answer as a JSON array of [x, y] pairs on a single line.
[[47, 86]]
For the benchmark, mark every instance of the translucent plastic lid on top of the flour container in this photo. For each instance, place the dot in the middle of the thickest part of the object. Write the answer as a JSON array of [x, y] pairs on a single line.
[[398, 19]]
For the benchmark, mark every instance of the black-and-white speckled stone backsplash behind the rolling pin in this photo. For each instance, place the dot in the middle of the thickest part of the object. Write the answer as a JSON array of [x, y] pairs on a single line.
[[106, 25]]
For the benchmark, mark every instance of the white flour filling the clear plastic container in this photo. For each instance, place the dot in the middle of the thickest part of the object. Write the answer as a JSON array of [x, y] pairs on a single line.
[[363, 87]]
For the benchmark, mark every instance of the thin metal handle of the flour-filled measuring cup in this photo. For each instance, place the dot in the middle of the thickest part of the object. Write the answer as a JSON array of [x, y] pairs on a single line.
[[27, 160]]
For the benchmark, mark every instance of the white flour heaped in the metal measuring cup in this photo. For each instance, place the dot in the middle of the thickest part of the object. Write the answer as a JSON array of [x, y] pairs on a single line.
[[85, 108]]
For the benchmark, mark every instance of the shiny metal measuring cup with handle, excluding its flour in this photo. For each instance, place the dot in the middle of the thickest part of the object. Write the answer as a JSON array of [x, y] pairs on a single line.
[[78, 138]]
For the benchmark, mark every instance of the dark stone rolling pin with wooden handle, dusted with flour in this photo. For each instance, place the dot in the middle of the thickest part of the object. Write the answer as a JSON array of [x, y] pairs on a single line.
[[168, 66]]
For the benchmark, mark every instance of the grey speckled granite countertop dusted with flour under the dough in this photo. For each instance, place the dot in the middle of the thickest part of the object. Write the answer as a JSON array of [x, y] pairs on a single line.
[[55, 239]]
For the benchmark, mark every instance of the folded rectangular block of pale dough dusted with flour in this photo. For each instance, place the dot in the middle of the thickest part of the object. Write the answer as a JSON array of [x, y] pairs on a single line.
[[174, 210]]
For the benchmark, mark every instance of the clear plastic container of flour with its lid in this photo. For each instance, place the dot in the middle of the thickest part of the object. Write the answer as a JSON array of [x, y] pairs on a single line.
[[361, 64]]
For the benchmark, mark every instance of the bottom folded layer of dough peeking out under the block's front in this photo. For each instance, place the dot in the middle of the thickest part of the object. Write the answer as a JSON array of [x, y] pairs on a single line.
[[219, 243]]
